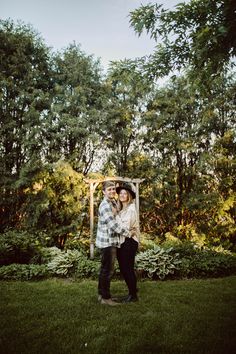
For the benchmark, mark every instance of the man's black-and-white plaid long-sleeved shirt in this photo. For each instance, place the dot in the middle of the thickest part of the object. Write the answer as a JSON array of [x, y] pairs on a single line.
[[108, 230]]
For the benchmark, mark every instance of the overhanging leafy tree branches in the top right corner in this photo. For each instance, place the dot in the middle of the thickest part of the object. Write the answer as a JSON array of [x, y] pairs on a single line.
[[200, 34]]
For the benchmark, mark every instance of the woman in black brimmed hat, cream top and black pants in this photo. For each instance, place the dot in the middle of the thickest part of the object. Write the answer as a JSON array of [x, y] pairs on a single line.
[[129, 245]]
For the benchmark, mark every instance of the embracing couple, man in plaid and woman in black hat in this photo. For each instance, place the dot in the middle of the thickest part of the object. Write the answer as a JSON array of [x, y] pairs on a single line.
[[117, 237]]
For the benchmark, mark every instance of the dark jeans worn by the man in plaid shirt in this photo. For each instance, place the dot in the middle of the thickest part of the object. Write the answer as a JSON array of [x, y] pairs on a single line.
[[108, 256]]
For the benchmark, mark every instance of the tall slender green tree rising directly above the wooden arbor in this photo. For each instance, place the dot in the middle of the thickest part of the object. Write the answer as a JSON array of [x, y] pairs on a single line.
[[127, 92]]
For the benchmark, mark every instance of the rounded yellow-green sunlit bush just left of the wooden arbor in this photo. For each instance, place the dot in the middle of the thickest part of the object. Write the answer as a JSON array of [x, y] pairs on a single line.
[[56, 202]]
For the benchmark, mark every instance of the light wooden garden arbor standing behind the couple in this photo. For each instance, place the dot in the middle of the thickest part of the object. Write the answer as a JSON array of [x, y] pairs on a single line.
[[93, 185]]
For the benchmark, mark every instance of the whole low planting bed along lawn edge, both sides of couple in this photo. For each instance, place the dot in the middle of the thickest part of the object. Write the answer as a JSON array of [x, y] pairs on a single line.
[[23, 258]]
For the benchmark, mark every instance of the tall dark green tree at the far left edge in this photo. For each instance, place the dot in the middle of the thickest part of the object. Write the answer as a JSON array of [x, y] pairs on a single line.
[[25, 87]]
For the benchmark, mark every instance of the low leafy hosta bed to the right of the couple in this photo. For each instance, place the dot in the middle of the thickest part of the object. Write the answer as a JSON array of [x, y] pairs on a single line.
[[185, 259]]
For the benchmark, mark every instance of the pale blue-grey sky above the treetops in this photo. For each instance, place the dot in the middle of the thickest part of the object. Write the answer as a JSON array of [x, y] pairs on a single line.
[[101, 27]]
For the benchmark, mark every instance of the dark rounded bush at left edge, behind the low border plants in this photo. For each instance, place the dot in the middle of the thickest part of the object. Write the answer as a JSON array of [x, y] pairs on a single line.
[[18, 247]]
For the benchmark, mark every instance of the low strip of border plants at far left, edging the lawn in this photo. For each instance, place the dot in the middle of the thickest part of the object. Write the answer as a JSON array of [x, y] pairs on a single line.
[[23, 272]]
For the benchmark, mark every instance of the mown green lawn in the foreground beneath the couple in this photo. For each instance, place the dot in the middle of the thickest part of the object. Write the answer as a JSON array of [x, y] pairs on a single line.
[[58, 316]]
